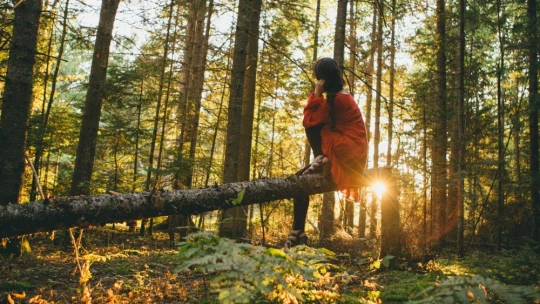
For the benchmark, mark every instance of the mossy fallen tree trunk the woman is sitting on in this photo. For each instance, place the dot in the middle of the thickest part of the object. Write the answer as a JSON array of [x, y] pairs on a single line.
[[83, 211]]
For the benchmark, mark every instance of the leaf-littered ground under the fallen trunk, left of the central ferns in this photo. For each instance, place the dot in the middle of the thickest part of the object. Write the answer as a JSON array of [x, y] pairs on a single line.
[[118, 267]]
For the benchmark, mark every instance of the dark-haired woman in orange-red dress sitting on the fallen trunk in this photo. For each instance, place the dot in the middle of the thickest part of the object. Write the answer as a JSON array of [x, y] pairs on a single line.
[[336, 132]]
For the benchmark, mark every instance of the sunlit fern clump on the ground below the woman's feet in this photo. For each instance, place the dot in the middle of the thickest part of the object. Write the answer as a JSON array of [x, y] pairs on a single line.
[[244, 272]]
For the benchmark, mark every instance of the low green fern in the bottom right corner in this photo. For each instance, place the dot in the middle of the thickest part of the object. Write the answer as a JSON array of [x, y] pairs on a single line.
[[476, 289]]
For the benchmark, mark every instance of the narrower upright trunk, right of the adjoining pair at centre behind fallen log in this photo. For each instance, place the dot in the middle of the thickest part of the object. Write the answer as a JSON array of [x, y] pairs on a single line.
[[248, 105]]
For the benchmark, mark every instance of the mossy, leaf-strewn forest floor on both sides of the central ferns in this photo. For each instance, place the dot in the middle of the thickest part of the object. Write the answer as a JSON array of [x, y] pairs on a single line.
[[125, 268]]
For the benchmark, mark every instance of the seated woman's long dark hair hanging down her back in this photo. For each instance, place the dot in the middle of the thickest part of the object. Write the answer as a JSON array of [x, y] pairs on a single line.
[[328, 69]]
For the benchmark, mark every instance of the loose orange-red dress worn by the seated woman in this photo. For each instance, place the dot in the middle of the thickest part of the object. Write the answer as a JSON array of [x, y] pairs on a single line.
[[347, 146]]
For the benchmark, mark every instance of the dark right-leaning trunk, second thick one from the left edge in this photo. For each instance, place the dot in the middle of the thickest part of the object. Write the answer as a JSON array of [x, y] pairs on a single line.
[[86, 149]]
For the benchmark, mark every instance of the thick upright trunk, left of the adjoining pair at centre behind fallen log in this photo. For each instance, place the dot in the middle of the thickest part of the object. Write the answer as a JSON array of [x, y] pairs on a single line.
[[234, 221]]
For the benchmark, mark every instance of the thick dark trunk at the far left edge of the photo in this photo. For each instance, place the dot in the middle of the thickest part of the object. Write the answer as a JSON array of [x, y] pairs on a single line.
[[17, 99]]
